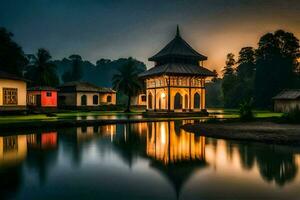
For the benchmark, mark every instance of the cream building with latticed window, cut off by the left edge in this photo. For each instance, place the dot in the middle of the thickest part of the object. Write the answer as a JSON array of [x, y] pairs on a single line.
[[12, 92]]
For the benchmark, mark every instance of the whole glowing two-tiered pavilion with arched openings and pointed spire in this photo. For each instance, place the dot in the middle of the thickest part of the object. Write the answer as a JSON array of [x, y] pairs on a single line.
[[177, 81]]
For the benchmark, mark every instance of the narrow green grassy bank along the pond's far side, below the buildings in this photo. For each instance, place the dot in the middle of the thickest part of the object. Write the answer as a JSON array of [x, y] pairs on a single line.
[[81, 118]]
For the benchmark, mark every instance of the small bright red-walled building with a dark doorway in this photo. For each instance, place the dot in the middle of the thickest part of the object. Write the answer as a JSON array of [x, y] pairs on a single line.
[[42, 97]]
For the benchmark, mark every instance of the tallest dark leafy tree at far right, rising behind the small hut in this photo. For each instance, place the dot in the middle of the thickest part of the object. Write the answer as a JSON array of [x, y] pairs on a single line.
[[276, 63]]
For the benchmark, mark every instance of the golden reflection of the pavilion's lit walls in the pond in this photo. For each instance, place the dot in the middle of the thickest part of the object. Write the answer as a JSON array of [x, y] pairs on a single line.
[[168, 145]]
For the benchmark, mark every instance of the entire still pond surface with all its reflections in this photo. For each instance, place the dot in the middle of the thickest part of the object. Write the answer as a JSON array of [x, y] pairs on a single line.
[[143, 161]]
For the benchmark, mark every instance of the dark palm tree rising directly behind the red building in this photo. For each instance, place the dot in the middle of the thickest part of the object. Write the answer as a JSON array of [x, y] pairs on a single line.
[[42, 72]]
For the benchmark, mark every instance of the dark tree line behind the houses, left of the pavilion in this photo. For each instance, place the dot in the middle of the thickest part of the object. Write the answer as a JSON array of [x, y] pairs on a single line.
[[43, 71]]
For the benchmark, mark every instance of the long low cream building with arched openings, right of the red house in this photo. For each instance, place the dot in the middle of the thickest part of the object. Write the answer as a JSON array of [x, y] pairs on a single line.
[[84, 94]]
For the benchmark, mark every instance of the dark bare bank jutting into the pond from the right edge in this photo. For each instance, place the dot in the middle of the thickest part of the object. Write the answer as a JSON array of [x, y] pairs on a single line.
[[258, 131]]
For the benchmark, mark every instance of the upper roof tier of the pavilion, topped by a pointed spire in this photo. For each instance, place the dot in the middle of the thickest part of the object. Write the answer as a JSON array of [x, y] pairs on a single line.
[[178, 48]]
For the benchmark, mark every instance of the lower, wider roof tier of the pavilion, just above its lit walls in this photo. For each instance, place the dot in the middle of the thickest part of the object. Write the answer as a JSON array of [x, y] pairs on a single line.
[[177, 69]]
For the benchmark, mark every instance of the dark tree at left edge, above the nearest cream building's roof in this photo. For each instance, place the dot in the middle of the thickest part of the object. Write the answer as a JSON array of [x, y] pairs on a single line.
[[12, 58]]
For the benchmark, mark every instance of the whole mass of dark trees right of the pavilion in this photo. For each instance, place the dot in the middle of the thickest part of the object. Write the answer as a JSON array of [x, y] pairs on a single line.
[[258, 74]]
